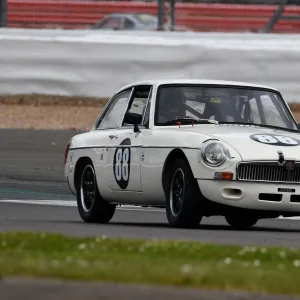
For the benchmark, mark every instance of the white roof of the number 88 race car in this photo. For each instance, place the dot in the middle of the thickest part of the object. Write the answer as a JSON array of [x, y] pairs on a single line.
[[197, 81]]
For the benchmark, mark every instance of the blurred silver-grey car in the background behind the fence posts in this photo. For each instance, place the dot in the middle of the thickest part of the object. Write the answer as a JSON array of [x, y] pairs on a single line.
[[131, 21]]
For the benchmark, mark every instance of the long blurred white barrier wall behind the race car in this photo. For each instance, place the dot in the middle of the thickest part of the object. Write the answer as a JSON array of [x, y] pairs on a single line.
[[87, 63]]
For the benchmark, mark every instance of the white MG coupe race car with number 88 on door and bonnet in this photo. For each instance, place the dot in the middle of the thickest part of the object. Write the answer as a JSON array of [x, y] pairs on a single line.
[[196, 147]]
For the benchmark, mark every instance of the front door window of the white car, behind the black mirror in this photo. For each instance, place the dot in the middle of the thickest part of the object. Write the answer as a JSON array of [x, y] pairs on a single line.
[[138, 104]]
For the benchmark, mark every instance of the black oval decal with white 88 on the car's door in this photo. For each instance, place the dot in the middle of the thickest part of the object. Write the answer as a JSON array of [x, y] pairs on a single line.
[[122, 165]]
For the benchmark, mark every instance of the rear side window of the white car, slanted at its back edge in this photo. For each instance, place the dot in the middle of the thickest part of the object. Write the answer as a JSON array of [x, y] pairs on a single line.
[[114, 115]]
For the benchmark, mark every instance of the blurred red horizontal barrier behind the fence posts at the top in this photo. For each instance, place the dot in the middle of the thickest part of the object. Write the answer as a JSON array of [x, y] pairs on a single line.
[[195, 16]]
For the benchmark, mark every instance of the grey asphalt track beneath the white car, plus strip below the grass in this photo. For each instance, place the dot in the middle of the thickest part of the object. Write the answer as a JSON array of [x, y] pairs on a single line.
[[34, 196]]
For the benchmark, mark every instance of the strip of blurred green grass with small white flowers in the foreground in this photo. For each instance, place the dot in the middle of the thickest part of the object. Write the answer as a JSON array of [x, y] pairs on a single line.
[[193, 264]]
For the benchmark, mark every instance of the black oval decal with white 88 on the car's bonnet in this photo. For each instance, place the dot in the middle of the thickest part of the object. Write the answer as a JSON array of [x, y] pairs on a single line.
[[275, 139]]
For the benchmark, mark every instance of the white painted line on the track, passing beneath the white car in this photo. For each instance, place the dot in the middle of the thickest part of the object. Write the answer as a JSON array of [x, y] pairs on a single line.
[[73, 204]]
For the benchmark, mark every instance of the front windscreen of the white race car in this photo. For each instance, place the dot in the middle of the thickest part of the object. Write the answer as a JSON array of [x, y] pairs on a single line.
[[223, 104]]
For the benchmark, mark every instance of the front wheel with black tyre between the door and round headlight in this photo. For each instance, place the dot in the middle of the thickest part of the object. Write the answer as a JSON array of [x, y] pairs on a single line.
[[183, 200]]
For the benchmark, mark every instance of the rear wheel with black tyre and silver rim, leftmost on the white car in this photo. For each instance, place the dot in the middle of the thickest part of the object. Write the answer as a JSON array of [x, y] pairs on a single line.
[[91, 206]]
